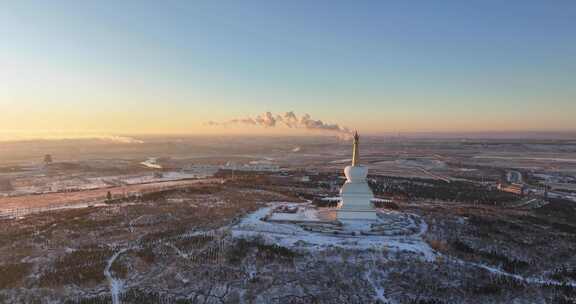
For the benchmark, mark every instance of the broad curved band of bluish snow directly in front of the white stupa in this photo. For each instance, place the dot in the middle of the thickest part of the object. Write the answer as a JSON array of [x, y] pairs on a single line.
[[294, 236]]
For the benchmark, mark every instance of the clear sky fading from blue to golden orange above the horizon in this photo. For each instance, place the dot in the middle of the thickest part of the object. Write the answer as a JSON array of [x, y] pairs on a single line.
[[153, 67]]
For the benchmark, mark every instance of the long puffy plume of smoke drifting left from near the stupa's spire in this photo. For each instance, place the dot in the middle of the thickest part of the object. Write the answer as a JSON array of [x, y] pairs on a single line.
[[288, 119]]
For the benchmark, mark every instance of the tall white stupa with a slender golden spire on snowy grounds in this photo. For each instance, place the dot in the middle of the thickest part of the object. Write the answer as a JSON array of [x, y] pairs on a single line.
[[356, 196]]
